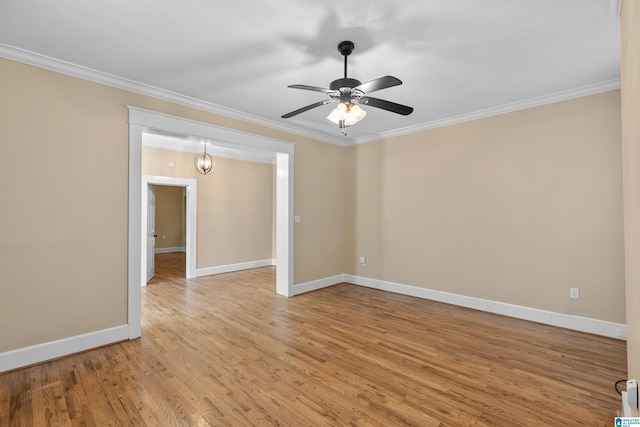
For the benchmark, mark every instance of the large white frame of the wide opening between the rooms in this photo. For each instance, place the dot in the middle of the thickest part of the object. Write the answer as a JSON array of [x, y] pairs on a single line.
[[145, 121]]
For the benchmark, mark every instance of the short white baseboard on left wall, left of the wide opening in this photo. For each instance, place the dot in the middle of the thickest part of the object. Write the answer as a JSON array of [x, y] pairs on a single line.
[[51, 350]]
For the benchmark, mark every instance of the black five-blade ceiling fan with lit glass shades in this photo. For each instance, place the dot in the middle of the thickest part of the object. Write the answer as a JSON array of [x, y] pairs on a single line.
[[351, 93]]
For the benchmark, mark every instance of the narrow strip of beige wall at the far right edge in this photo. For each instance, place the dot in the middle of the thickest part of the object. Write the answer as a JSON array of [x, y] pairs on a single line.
[[630, 69]]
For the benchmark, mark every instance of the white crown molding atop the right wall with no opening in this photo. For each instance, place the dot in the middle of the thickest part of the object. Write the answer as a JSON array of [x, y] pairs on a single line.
[[500, 109]]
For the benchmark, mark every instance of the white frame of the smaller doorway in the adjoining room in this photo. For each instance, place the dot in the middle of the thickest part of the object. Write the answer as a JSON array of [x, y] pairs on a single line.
[[191, 188]]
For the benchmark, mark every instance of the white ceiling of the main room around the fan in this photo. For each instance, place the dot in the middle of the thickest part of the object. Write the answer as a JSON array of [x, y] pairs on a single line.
[[458, 59]]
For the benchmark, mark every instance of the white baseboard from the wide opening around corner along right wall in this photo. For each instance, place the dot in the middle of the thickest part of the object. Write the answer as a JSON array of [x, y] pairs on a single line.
[[577, 323]]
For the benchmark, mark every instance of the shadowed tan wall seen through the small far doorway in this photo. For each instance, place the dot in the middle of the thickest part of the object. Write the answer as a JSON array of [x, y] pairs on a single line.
[[170, 217]]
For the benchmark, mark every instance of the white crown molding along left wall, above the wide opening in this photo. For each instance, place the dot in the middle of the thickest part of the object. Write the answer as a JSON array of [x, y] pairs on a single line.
[[74, 70]]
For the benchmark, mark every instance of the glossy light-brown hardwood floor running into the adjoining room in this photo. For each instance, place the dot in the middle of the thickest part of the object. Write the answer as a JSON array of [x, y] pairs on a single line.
[[225, 350]]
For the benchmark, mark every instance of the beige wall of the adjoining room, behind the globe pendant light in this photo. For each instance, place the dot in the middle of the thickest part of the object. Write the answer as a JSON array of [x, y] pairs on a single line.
[[235, 212]]
